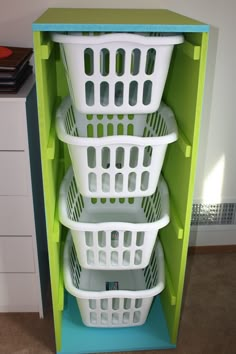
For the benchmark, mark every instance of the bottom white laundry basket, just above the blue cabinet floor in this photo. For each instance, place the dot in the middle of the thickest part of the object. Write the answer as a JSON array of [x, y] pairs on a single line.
[[113, 298]]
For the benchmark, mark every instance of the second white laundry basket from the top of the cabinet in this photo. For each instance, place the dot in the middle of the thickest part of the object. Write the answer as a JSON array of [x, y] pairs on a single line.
[[116, 155]]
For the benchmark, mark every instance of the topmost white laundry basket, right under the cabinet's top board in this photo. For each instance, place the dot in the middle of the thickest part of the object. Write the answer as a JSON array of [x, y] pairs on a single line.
[[117, 73]]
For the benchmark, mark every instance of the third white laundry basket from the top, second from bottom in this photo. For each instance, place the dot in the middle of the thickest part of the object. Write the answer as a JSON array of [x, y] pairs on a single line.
[[113, 233]]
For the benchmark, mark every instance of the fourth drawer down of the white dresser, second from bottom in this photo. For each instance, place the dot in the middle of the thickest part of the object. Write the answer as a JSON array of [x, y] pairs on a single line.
[[16, 255]]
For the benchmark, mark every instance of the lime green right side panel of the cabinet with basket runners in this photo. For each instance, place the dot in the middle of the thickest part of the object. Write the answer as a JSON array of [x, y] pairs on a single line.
[[183, 93]]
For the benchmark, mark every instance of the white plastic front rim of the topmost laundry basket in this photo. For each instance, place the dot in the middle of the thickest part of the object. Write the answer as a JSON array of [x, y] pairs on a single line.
[[63, 38]]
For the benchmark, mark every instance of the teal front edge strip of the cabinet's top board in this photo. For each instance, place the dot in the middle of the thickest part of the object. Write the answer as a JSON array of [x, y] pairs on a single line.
[[54, 27]]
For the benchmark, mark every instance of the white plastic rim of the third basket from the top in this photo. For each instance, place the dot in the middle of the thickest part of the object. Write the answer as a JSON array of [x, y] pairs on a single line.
[[106, 226]]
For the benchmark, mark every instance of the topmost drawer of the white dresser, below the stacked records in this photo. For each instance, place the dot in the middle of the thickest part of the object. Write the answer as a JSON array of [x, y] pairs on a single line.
[[12, 125]]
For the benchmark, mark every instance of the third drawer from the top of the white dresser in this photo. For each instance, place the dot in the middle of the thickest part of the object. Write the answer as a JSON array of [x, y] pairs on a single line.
[[16, 216]]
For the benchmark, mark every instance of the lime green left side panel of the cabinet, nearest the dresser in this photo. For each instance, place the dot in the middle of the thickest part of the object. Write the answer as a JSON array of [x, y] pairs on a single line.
[[45, 63]]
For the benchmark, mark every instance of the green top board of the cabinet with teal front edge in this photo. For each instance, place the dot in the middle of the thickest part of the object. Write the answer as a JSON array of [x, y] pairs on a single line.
[[119, 19]]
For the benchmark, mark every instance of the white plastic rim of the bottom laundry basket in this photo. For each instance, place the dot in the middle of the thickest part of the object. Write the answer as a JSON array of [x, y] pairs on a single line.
[[84, 294]]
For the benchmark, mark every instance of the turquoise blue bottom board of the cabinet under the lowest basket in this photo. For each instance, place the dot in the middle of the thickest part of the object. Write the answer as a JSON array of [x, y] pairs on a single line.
[[77, 338]]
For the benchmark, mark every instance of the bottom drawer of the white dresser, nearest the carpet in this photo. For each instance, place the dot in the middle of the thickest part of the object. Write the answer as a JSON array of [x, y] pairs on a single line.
[[18, 292]]
